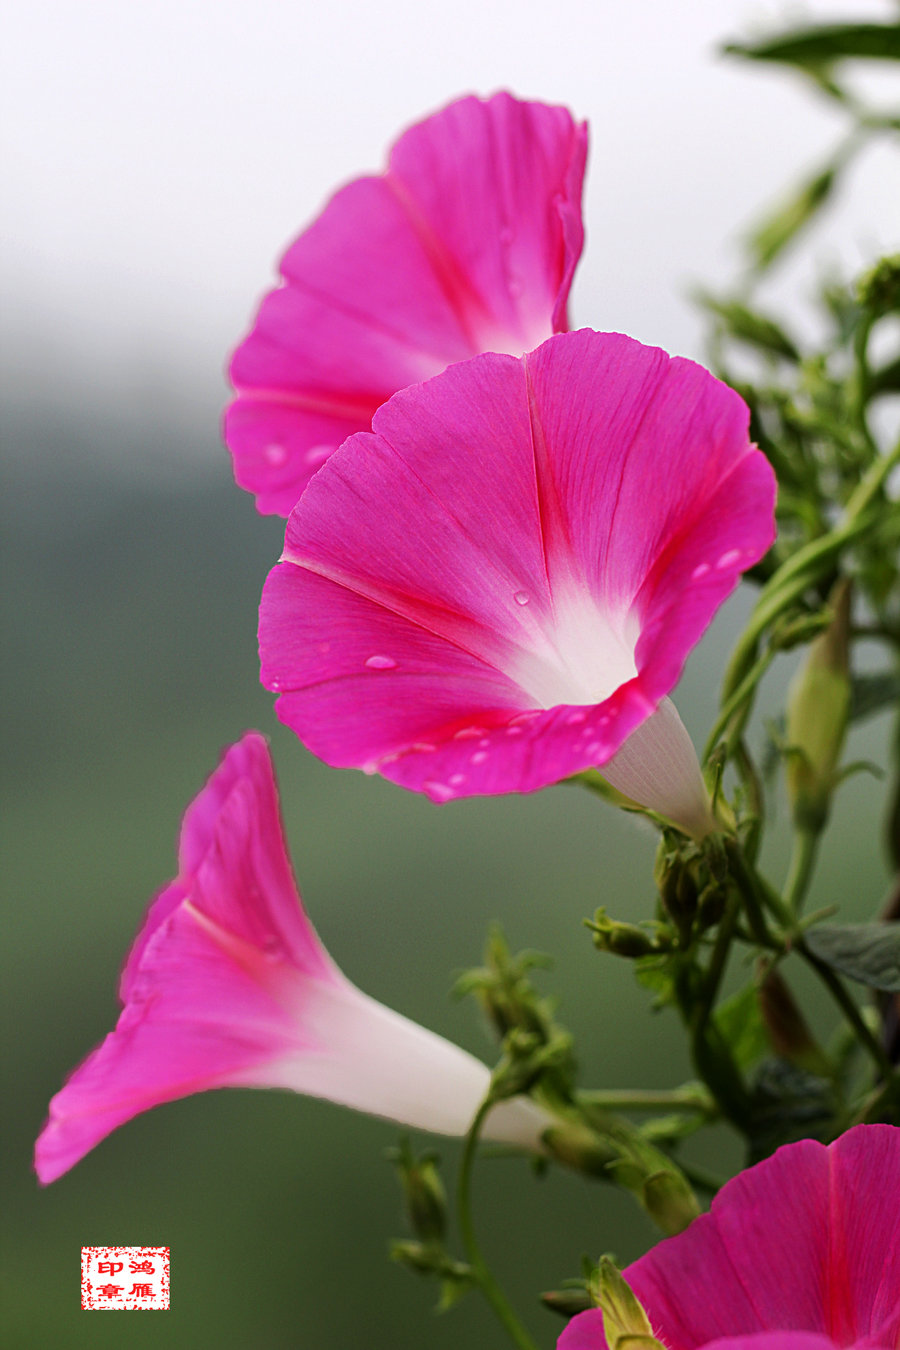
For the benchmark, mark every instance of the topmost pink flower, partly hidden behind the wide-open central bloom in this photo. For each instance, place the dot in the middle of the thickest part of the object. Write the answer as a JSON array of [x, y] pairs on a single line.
[[466, 244]]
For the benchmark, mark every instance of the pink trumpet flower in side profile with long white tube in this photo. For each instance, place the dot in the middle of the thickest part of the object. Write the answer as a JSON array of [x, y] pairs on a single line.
[[229, 986]]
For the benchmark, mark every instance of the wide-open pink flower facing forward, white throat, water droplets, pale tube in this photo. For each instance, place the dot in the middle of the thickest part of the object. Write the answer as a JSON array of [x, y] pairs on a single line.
[[499, 587]]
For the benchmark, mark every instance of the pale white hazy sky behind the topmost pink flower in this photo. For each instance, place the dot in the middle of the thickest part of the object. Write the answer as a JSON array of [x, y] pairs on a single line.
[[159, 157]]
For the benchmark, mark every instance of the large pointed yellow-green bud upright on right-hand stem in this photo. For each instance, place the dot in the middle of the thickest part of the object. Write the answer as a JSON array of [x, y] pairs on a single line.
[[818, 711]]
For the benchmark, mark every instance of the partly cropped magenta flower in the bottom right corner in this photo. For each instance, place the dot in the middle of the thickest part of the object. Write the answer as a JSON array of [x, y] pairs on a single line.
[[801, 1252]]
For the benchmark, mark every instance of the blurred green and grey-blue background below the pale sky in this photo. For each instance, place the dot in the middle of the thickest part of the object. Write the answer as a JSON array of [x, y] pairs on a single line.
[[130, 612]]
